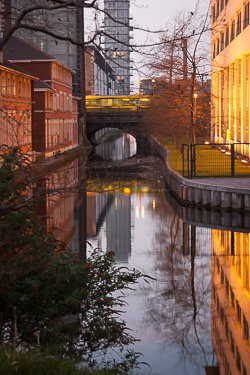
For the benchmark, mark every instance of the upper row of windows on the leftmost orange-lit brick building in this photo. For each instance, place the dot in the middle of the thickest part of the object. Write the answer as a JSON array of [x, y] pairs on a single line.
[[11, 86]]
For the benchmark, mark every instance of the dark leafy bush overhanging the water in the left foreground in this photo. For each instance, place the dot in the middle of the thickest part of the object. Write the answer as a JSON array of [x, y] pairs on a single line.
[[49, 298]]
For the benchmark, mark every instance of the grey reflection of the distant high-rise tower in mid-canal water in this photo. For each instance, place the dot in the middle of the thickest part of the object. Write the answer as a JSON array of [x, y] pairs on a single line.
[[119, 227]]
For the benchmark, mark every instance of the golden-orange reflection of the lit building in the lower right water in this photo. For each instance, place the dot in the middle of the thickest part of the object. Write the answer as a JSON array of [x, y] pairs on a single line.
[[231, 301]]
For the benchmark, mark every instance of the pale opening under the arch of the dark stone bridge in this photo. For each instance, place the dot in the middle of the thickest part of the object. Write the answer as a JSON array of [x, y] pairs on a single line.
[[121, 148]]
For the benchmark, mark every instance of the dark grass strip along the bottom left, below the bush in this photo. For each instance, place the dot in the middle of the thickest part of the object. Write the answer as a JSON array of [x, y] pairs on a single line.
[[12, 363]]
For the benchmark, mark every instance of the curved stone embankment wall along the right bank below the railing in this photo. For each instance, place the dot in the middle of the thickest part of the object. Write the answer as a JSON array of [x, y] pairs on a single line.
[[214, 193]]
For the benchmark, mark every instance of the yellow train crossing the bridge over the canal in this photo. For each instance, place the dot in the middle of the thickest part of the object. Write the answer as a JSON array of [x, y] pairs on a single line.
[[117, 103]]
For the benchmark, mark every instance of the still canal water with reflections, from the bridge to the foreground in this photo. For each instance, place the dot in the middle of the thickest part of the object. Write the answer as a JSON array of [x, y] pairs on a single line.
[[194, 316]]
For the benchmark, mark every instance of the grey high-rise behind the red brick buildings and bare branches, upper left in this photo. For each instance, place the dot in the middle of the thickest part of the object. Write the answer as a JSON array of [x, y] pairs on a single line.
[[65, 22]]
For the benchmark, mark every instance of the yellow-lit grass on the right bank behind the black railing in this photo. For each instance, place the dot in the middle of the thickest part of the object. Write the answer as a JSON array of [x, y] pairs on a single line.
[[210, 162]]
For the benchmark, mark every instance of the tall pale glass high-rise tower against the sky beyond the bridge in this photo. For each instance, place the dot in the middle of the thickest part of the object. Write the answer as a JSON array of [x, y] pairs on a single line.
[[116, 41]]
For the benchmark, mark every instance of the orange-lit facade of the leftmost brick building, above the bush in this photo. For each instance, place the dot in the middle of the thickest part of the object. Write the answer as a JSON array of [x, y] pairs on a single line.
[[16, 111]]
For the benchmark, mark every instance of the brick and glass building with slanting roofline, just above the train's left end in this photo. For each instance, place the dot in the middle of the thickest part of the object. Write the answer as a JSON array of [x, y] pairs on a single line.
[[99, 76]]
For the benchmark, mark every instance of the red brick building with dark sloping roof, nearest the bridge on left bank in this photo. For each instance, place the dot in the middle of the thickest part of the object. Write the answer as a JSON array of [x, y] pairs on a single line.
[[55, 124]]
